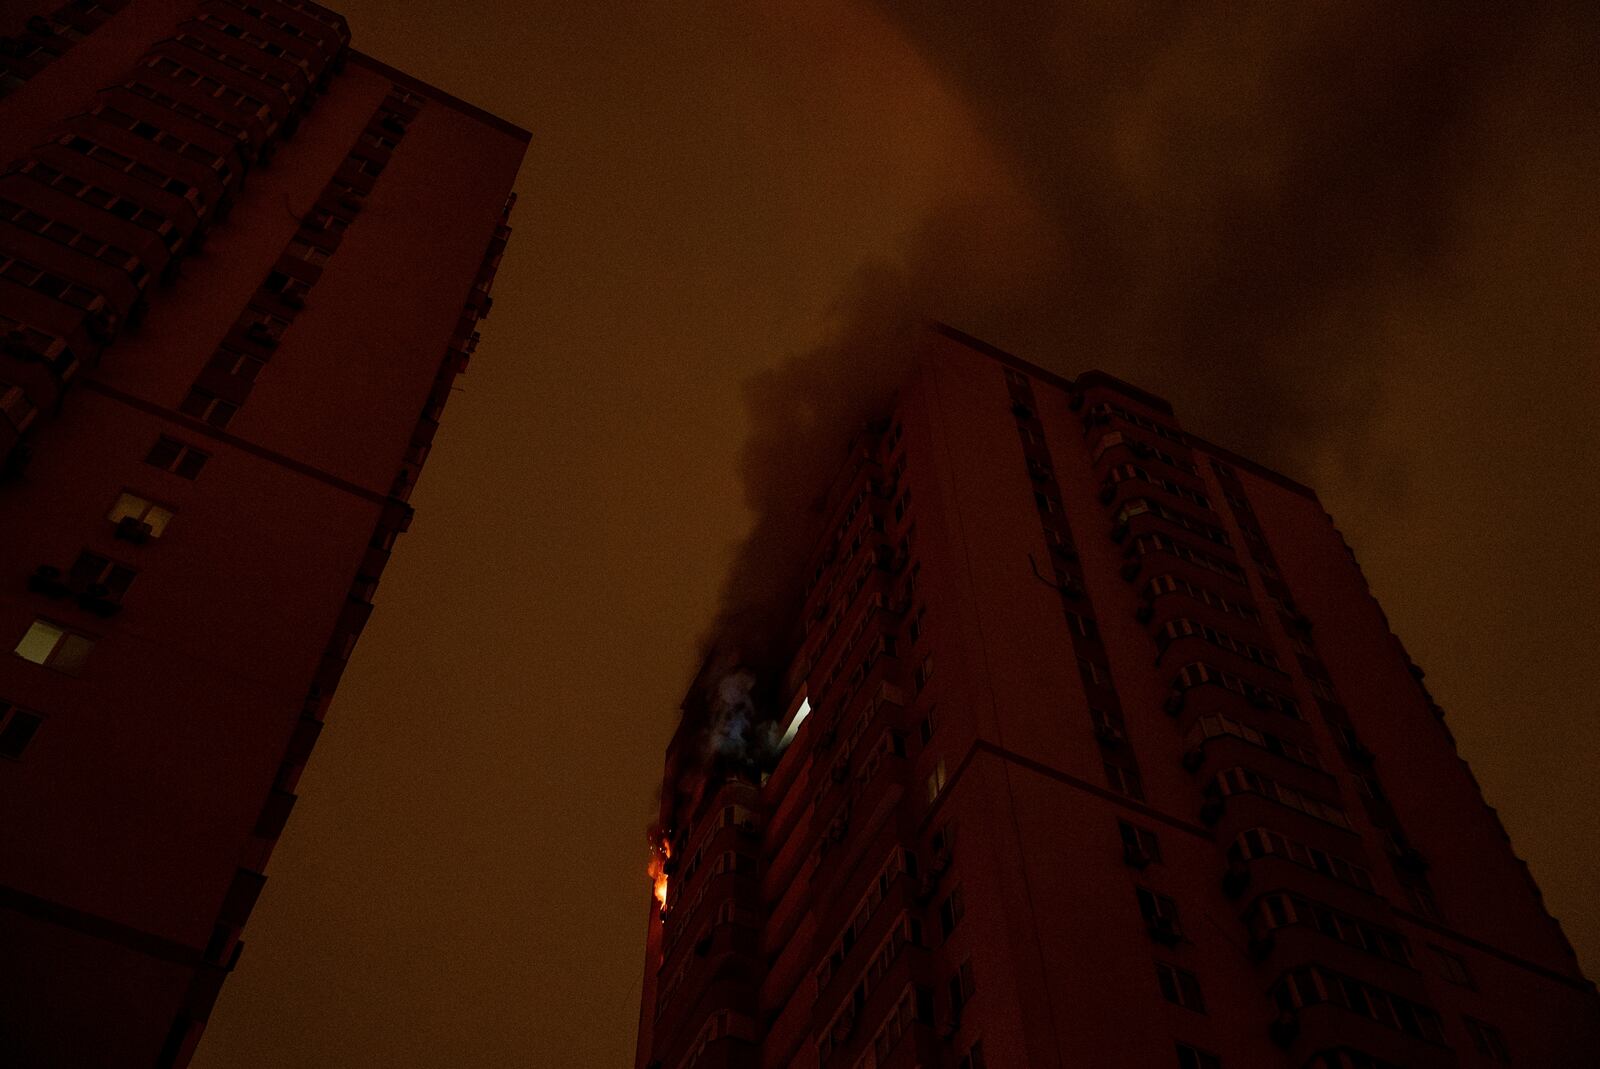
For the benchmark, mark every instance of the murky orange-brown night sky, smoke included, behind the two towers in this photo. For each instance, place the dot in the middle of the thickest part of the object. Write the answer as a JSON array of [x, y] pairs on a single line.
[[1356, 244]]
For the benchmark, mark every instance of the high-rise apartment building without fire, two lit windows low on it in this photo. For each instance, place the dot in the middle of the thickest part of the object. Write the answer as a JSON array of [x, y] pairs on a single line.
[[241, 266]]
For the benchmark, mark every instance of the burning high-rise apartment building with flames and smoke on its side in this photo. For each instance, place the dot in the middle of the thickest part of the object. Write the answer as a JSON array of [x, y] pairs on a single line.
[[1092, 750]]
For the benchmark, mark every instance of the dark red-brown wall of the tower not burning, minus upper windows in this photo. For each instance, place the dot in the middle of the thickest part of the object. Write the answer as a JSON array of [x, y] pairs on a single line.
[[142, 814]]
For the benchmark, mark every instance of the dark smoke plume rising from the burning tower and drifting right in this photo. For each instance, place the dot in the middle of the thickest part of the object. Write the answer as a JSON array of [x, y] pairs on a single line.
[[1234, 206]]
